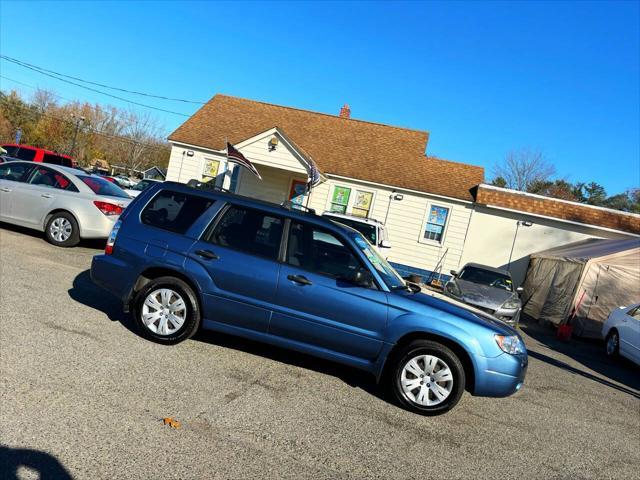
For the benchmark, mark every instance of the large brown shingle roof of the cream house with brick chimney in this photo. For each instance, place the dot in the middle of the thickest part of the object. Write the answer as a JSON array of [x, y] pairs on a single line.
[[340, 146]]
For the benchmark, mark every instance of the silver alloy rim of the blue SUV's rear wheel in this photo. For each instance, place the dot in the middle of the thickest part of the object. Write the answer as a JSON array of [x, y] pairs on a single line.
[[164, 311]]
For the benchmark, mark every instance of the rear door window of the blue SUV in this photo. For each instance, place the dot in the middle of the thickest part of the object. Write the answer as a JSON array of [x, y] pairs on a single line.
[[250, 231]]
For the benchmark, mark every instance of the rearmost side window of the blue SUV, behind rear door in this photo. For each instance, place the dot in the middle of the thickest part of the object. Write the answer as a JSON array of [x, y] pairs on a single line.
[[174, 211]]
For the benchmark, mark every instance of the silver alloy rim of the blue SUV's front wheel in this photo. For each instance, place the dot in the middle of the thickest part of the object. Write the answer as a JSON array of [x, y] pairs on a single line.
[[426, 380]]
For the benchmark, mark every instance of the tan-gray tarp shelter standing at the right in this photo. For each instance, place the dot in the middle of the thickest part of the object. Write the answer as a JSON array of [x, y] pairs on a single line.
[[590, 277]]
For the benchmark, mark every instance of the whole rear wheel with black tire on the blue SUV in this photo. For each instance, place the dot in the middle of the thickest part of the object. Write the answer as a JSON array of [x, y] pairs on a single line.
[[158, 316]]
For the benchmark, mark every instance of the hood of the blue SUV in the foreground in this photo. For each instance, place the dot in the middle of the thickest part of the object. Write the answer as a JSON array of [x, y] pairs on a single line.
[[453, 307]]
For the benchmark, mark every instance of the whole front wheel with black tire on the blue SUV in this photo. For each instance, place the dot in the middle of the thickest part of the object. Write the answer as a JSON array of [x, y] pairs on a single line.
[[446, 377]]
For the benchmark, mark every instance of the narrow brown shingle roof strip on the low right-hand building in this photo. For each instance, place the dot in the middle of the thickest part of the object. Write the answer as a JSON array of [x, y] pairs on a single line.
[[562, 209]]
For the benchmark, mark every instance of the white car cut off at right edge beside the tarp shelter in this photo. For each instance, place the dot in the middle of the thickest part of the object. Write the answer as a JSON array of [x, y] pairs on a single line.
[[621, 332]]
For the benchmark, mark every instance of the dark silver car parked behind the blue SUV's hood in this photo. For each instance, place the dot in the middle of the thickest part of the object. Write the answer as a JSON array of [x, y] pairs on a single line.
[[488, 289]]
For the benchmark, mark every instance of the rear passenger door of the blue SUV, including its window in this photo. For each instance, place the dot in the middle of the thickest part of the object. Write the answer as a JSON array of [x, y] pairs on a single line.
[[240, 254]]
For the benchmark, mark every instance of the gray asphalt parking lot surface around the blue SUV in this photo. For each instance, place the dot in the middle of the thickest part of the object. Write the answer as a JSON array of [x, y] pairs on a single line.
[[83, 396]]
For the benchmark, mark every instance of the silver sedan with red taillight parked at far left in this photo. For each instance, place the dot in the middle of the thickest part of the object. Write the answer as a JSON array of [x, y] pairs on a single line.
[[66, 203]]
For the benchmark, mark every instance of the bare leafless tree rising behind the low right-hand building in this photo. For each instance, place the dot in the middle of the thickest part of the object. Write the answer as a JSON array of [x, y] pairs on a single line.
[[522, 168]]
